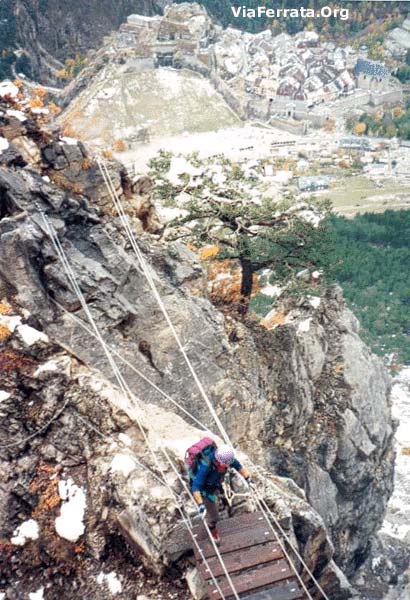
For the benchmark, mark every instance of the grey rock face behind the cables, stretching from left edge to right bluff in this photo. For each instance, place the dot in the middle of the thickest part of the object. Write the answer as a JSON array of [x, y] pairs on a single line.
[[306, 400]]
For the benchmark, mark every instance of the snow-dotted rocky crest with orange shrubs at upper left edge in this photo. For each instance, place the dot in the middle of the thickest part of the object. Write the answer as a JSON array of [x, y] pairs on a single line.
[[64, 162]]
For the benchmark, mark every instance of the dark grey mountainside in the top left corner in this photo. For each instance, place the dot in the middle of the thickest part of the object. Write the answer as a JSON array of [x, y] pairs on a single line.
[[50, 31]]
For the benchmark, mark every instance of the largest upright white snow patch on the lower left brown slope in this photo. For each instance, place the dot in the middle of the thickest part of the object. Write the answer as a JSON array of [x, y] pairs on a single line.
[[70, 524]]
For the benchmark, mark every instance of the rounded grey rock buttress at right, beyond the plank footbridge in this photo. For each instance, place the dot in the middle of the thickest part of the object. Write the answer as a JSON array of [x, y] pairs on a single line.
[[330, 423]]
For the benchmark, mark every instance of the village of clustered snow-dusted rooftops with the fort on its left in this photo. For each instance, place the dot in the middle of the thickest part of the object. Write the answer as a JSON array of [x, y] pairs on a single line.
[[261, 76]]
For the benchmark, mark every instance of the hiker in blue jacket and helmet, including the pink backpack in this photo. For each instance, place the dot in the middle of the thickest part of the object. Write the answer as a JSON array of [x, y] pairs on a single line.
[[207, 466]]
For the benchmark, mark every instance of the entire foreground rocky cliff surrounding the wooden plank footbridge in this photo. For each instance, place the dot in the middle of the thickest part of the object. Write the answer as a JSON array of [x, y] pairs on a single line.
[[305, 400]]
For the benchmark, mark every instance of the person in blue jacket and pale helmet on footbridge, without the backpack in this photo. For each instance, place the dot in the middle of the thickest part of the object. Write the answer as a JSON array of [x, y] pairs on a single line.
[[206, 485]]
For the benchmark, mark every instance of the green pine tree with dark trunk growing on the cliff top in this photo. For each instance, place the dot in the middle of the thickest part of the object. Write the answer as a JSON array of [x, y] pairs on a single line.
[[273, 235]]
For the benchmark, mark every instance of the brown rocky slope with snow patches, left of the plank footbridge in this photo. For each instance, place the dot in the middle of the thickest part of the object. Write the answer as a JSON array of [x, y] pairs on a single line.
[[75, 482]]
